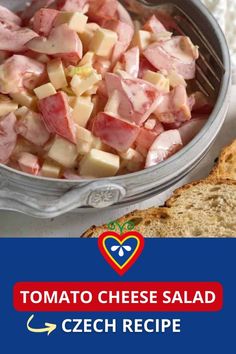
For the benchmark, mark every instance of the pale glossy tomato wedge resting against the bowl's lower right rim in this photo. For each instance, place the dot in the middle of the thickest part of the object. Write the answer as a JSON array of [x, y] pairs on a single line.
[[165, 145]]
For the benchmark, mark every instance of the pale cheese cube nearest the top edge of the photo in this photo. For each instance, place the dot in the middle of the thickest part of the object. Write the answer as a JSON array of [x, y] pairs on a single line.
[[75, 20]]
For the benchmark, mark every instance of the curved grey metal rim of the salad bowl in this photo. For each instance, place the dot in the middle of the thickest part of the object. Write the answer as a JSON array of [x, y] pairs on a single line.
[[224, 89]]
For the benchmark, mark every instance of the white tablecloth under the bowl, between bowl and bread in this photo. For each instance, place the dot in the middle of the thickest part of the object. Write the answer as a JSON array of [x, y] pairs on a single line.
[[72, 225]]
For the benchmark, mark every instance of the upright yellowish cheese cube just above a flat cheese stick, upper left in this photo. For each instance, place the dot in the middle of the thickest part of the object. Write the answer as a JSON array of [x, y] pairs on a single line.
[[56, 74]]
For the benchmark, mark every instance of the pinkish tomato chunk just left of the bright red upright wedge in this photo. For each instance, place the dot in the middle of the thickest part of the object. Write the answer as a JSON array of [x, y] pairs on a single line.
[[32, 128]]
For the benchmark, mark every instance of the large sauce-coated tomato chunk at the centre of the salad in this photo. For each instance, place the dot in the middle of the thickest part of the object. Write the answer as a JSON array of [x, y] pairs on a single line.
[[138, 98]]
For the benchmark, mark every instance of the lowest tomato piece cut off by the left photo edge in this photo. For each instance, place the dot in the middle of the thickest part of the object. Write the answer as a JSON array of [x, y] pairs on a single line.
[[8, 137]]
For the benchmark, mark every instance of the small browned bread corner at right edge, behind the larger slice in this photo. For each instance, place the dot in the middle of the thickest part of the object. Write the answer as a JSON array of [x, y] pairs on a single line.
[[225, 168]]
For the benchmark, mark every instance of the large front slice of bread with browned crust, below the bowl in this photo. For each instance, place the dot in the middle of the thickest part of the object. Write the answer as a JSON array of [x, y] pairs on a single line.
[[202, 209]]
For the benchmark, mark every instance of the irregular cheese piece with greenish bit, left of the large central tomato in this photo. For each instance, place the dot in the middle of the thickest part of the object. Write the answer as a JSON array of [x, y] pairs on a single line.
[[80, 85]]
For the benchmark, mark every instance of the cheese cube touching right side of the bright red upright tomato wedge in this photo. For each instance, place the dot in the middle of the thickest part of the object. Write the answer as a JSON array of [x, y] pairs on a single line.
[[82, 111]]
